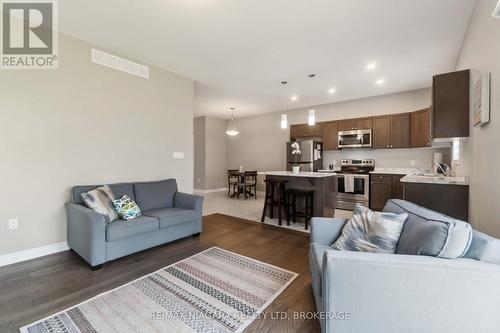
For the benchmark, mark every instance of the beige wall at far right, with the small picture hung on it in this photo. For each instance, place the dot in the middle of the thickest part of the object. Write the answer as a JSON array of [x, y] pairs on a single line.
[[481, 53]]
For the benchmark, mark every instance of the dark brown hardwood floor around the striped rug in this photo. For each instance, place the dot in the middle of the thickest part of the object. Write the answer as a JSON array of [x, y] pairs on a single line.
[[37, 288]]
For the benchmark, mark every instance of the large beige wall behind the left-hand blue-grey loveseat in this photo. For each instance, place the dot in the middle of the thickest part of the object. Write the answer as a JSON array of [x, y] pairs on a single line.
[[84, 124]]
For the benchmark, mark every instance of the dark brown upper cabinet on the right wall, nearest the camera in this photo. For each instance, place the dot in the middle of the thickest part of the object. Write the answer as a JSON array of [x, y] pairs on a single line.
[[450, 104]]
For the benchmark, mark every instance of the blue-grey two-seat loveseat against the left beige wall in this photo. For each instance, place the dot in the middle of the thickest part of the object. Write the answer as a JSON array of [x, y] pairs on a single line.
[[167, 215]]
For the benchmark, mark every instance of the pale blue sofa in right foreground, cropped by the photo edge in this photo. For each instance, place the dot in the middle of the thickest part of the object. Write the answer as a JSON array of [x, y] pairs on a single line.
[[359, 292]]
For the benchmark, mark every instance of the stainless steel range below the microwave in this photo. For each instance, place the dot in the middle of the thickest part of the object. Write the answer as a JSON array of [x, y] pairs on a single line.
[[352, 185]]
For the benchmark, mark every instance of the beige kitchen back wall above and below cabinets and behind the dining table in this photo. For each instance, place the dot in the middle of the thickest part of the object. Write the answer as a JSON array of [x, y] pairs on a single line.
[[261, 143]]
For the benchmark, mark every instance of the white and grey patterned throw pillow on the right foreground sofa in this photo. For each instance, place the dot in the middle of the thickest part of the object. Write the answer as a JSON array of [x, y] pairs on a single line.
[[369, 231]]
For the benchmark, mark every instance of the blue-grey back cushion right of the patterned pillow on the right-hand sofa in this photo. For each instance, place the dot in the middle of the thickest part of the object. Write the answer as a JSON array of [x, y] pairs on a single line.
[[427, 232]]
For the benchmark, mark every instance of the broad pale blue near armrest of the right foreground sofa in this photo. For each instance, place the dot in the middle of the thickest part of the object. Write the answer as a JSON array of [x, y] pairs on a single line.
[[401, 293]]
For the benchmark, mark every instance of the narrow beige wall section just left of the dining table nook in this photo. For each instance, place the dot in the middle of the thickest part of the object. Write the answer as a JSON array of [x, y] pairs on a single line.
[[210, 150]]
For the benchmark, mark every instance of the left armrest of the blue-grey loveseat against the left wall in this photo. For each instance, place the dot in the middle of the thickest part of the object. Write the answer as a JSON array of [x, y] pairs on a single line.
[[87, 233]]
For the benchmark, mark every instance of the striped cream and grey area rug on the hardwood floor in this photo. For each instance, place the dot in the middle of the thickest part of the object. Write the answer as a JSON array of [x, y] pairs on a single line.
[[212, 291]]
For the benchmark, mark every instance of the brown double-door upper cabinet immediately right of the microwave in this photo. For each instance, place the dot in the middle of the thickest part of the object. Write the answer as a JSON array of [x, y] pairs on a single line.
[[391, 131]]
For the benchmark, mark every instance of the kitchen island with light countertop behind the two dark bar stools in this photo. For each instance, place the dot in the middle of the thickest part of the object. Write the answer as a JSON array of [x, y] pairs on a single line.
[[323, 185]]
